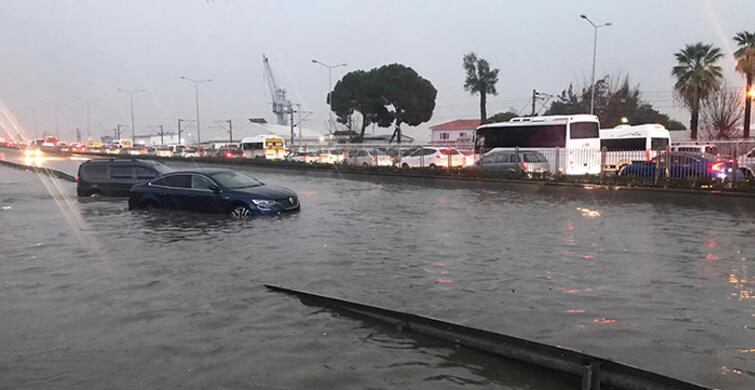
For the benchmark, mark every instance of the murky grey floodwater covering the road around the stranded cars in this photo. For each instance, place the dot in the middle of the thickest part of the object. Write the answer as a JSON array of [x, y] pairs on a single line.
[[95, 296]]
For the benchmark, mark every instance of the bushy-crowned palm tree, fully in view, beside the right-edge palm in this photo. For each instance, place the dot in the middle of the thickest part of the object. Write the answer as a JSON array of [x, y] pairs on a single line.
[[697, 77]]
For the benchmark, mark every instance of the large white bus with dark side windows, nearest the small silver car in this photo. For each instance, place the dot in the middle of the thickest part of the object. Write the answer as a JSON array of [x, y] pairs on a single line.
[[571, 143]]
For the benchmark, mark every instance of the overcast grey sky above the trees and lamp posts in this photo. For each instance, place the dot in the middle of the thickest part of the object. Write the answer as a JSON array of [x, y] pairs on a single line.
[[52, 52]]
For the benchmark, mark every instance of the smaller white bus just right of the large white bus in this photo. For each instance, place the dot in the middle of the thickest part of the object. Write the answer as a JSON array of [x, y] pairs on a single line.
[[624, 144]]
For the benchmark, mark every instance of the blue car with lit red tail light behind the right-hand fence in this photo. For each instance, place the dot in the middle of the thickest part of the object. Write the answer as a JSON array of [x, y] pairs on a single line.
[[684, 165]]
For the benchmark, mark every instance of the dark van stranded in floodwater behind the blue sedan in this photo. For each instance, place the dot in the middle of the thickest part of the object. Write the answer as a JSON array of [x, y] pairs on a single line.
[[115, 177]]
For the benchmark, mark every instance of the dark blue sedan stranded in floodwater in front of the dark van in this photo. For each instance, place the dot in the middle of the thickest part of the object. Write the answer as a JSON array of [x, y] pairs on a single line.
[[214, 191]]
